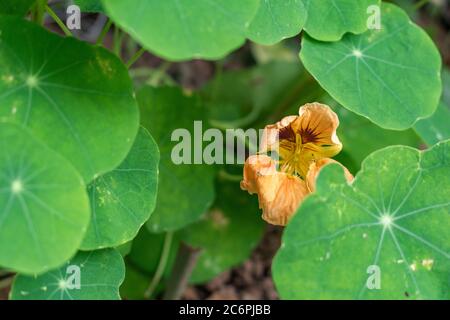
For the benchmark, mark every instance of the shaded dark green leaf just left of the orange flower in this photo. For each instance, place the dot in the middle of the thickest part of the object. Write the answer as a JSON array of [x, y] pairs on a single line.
[[185, 190]]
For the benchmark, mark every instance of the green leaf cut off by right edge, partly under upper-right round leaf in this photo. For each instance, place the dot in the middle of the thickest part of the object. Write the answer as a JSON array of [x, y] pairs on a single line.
[[436, 128]]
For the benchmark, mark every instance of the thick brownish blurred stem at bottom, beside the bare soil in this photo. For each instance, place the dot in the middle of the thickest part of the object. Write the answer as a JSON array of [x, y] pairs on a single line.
[[184, 265]]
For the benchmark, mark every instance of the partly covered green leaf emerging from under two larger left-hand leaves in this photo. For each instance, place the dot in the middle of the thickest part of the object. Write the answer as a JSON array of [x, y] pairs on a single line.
[[123, 199]]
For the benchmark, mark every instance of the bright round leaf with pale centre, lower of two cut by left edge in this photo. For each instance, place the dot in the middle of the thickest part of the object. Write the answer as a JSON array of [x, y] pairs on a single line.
[[44, 208]]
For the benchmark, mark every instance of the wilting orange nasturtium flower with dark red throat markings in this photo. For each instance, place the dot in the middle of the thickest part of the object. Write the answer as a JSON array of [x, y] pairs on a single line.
[[304, 143]]
